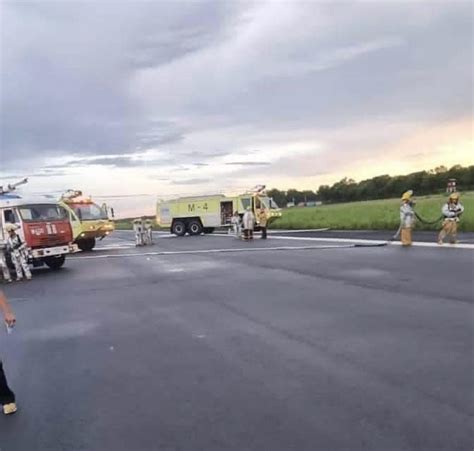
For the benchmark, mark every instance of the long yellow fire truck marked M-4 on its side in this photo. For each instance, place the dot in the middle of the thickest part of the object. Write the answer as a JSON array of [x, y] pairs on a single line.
[[195, 215]]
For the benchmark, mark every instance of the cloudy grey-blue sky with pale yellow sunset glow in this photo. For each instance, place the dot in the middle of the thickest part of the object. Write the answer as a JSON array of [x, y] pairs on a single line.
[[147, 99]]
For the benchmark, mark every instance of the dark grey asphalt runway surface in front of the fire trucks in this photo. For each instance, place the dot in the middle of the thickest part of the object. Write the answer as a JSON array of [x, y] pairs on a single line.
[[210, 343]]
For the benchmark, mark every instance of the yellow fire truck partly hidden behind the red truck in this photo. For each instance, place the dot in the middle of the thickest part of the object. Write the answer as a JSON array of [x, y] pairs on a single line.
[[88, 220]]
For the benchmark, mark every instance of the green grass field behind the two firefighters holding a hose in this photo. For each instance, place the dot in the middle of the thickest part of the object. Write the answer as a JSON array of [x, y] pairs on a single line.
[[375, 215]]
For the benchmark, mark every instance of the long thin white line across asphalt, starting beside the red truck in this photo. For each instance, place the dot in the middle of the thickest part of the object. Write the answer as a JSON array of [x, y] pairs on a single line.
[[215, 251]]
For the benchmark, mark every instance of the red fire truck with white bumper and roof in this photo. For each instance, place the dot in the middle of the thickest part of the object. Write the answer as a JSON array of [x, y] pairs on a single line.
[[42, 224]]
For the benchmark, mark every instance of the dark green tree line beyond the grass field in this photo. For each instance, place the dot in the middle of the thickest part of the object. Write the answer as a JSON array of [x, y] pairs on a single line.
[[433, 181]]
